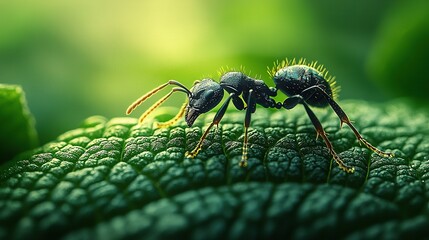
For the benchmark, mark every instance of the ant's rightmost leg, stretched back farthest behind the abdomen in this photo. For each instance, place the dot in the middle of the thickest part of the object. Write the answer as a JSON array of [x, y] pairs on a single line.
[[345, 119]]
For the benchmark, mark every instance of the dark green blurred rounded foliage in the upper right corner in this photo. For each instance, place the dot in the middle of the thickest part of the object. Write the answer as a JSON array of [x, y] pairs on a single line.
[[400, 52]]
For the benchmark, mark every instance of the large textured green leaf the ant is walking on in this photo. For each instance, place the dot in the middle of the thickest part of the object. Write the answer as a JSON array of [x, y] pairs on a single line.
[[112, 179]]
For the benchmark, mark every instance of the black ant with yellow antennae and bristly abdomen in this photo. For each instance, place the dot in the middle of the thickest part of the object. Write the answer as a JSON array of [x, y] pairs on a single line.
[[308, 84]]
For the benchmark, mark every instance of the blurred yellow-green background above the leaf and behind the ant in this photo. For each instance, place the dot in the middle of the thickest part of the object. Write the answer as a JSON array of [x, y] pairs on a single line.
[[79, 58]]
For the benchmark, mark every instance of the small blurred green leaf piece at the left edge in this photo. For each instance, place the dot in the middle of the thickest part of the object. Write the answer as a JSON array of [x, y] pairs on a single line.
[[16, 123]]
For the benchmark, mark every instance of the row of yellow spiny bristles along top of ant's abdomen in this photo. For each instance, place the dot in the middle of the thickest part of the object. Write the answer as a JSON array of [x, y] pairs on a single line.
[[314, 64]]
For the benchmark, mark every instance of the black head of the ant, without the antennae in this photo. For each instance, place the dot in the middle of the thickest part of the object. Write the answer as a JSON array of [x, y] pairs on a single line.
[[205, 95]]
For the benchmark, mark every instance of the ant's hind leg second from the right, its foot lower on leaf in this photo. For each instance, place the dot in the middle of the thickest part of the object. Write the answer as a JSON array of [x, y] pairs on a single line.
[[321, 132]]
